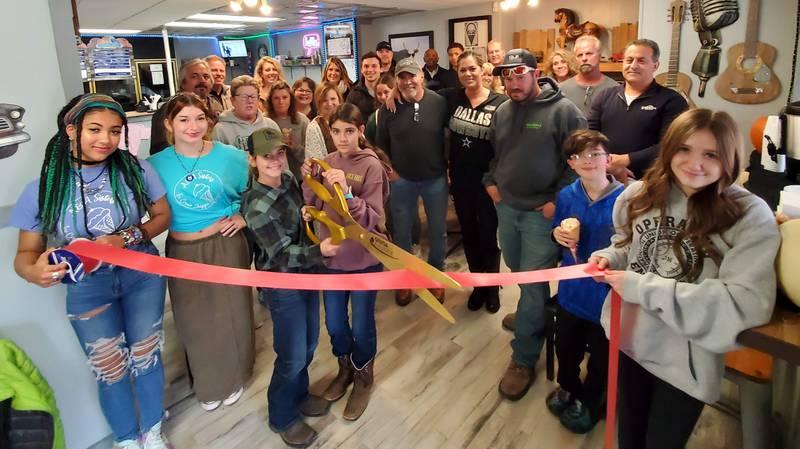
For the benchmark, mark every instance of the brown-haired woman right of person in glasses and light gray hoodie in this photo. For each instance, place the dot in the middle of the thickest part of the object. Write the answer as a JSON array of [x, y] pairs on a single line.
[[282, 108]]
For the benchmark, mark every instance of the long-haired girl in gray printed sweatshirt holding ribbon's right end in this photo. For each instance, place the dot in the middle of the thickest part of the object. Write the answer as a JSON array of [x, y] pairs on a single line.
[[697, 253]]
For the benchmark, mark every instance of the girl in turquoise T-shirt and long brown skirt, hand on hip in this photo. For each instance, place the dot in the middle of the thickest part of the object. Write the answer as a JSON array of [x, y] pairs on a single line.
[[204, 181]]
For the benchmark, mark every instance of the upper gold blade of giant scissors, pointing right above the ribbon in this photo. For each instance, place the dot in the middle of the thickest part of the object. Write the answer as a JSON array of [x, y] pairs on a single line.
[[395, 258]]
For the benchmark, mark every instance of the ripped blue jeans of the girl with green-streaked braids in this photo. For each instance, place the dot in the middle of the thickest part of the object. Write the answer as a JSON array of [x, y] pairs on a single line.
[[117, 315]]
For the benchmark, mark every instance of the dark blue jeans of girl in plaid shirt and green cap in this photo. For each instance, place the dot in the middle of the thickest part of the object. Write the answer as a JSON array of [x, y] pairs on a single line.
[[295, 332]]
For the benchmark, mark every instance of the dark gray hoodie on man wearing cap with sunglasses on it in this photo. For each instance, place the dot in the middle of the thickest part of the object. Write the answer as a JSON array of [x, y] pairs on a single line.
[[528, 166]]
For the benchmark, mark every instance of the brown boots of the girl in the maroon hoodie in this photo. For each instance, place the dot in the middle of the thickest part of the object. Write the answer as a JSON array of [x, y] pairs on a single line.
[[361, 378]]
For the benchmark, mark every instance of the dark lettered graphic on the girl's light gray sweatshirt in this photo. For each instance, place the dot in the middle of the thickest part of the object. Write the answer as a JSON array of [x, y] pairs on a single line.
[[655, 241]]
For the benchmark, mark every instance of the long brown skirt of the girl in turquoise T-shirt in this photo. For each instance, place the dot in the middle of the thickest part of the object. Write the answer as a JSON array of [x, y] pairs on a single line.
[[214, 321]]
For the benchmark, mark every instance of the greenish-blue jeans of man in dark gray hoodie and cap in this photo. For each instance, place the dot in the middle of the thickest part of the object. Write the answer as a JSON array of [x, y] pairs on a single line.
[[526, 245]]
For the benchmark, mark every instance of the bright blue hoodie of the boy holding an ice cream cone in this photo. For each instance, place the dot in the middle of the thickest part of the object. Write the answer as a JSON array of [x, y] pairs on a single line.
[[584, 297]]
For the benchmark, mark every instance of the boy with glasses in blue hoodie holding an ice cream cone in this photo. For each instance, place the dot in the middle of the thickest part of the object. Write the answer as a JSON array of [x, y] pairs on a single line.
[[588, 202]]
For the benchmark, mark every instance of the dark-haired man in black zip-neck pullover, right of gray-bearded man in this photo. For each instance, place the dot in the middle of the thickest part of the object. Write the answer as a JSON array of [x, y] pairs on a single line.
[[635, 116]]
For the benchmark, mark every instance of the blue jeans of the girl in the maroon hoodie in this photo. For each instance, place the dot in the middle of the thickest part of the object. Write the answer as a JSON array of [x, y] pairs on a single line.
[[360, 340]]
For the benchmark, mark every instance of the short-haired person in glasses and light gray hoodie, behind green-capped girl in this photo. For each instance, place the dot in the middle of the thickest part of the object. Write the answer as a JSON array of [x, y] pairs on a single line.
[[234, 126]]
